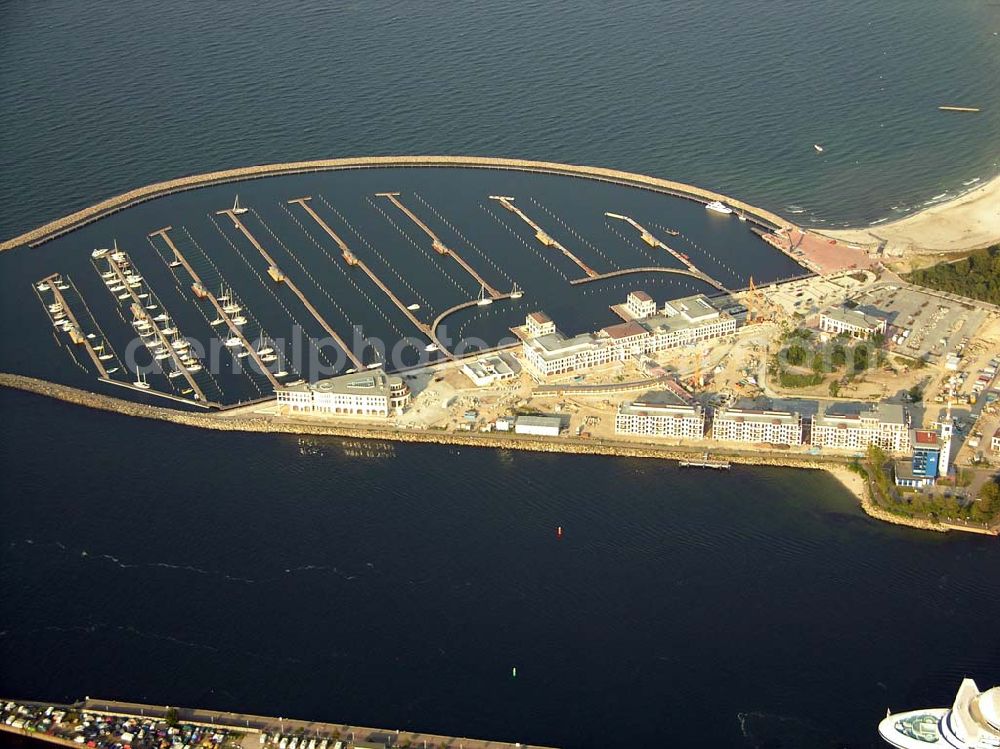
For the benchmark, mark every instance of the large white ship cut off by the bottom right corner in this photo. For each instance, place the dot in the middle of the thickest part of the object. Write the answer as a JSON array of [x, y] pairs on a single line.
[[972, 722]]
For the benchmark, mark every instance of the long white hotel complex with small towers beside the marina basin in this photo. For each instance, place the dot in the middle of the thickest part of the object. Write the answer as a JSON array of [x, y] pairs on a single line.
[[681, 322]]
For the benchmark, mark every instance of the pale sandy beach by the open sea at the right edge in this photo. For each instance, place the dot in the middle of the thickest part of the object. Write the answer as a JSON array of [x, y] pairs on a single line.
[[969, 222]]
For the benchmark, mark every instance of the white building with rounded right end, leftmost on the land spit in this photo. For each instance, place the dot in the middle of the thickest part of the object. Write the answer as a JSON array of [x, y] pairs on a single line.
[[370, 393]]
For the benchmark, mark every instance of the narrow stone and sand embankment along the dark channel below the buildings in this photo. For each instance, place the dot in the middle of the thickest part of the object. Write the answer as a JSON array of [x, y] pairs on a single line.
[[837, 466]]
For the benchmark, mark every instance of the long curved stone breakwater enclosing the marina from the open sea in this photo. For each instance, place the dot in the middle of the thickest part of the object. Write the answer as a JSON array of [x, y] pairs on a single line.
[[75, 220]]
